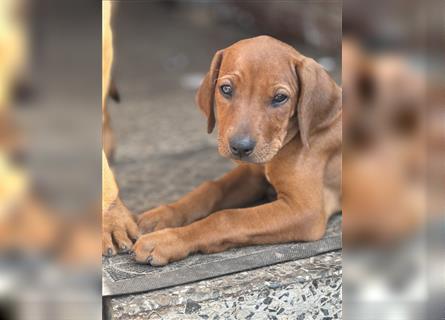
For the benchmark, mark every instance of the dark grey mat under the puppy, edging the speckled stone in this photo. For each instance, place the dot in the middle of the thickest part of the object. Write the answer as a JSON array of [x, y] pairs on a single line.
[[121, 275]]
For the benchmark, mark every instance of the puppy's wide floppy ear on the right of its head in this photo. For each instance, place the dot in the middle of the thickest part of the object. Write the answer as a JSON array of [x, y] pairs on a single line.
[[319, 98]]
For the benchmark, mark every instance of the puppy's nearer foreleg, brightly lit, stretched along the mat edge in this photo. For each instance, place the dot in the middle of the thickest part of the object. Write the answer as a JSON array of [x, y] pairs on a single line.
[[275, 222]]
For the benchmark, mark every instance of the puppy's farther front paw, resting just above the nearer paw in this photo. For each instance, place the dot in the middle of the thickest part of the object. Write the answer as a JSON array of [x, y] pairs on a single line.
[[159, 218]]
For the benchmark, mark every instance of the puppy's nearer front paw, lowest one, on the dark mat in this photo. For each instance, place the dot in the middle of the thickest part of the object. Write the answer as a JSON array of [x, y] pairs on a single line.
[[160, 247]]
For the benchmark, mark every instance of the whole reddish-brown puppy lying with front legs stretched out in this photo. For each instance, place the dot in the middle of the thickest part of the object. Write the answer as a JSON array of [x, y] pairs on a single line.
[[279, 118]]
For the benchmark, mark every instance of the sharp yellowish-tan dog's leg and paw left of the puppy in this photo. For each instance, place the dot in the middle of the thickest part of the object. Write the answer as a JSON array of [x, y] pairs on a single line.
[[117, 221]]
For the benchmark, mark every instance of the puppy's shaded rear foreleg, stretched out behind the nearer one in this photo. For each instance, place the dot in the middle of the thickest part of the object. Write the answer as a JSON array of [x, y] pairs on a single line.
[[240, 187]]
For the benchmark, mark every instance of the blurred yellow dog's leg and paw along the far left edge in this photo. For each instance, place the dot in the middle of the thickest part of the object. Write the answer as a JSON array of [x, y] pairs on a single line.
[[23, 223]]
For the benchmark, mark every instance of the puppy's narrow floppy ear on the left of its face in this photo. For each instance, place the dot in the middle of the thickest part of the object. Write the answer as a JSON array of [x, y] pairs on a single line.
[[205, 97]]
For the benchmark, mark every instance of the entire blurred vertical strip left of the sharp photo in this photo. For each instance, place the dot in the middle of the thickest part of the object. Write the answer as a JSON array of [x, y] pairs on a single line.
[[50, 181]]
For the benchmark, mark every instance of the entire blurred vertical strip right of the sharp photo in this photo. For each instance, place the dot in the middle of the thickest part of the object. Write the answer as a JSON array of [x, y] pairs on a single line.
[[393, 160]]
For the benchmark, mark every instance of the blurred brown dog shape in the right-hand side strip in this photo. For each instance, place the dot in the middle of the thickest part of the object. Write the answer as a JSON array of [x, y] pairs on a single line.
[[383, 155]]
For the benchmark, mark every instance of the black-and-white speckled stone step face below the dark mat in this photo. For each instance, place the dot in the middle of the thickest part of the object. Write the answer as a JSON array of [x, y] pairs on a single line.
[[302, 289]]
